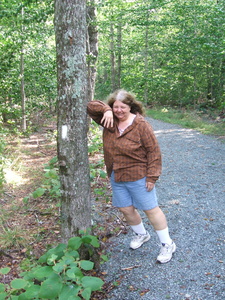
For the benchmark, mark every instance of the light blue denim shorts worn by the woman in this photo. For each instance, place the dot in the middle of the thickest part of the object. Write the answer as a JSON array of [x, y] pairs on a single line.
[[127, 193]]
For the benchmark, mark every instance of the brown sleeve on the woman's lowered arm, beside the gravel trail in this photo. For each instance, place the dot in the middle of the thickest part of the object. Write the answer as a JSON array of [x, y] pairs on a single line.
[[153, 153]]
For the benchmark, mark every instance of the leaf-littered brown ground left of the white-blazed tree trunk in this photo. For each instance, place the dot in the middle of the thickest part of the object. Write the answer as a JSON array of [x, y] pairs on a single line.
[[27, 226]]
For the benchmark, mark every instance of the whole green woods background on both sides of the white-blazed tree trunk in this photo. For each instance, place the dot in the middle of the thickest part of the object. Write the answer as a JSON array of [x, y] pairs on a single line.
[[167, 52]]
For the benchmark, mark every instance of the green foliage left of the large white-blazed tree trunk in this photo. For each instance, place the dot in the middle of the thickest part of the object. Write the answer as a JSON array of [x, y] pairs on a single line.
[[29, 26]]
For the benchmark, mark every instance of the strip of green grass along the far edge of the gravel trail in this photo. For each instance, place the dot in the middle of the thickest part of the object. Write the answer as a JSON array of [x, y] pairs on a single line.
[[203, 122]]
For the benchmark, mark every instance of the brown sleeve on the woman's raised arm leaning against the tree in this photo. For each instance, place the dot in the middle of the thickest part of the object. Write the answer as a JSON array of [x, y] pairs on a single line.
[[96, 110]]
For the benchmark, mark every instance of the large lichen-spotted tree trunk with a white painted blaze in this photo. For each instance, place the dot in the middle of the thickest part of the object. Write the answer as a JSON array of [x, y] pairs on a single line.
[[71, 30]]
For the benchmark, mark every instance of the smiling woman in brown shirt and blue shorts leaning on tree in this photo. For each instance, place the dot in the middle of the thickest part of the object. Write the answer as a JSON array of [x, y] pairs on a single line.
[[133, 162]]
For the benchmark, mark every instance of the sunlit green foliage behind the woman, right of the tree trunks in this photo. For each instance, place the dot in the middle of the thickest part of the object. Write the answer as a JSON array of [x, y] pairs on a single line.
[[171, 52]]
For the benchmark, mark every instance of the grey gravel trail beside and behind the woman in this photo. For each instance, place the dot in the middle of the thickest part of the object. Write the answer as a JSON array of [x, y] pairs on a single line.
[[191, 192]]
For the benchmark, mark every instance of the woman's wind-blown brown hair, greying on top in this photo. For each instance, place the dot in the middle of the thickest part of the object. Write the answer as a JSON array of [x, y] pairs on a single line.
[[126, 98]]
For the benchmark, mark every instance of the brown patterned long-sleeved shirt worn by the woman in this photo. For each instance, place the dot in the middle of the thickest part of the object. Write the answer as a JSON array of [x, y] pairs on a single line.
[[132, 155]]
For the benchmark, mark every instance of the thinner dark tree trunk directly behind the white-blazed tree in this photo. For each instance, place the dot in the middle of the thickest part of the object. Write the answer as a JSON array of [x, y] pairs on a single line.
[[92, 47]]
